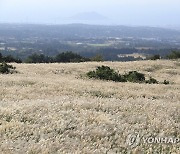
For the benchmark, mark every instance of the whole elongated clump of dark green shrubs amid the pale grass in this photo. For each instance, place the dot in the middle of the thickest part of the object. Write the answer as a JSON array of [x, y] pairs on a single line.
[[106, 73]]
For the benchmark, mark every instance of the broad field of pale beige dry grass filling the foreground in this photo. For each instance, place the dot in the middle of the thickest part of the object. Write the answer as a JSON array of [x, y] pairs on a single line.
[[55, 108]]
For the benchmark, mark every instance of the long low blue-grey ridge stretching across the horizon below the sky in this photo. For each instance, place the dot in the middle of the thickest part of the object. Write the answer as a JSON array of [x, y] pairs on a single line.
[[86, 31]]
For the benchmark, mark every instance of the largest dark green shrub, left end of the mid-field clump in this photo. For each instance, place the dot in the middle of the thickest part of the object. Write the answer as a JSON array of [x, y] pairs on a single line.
[[105, 73]]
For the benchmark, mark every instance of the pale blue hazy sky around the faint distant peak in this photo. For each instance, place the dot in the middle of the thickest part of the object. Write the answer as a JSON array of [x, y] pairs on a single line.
[[123, 12]]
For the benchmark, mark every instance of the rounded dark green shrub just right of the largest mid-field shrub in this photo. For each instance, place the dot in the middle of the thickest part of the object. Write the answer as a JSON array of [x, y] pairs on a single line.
[[134, 76]]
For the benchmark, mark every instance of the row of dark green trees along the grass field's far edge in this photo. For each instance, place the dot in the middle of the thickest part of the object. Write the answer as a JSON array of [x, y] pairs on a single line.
[[69, 56]]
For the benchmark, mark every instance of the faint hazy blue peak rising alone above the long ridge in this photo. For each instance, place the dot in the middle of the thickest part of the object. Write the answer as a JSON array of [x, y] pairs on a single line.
[[88, 16]]
